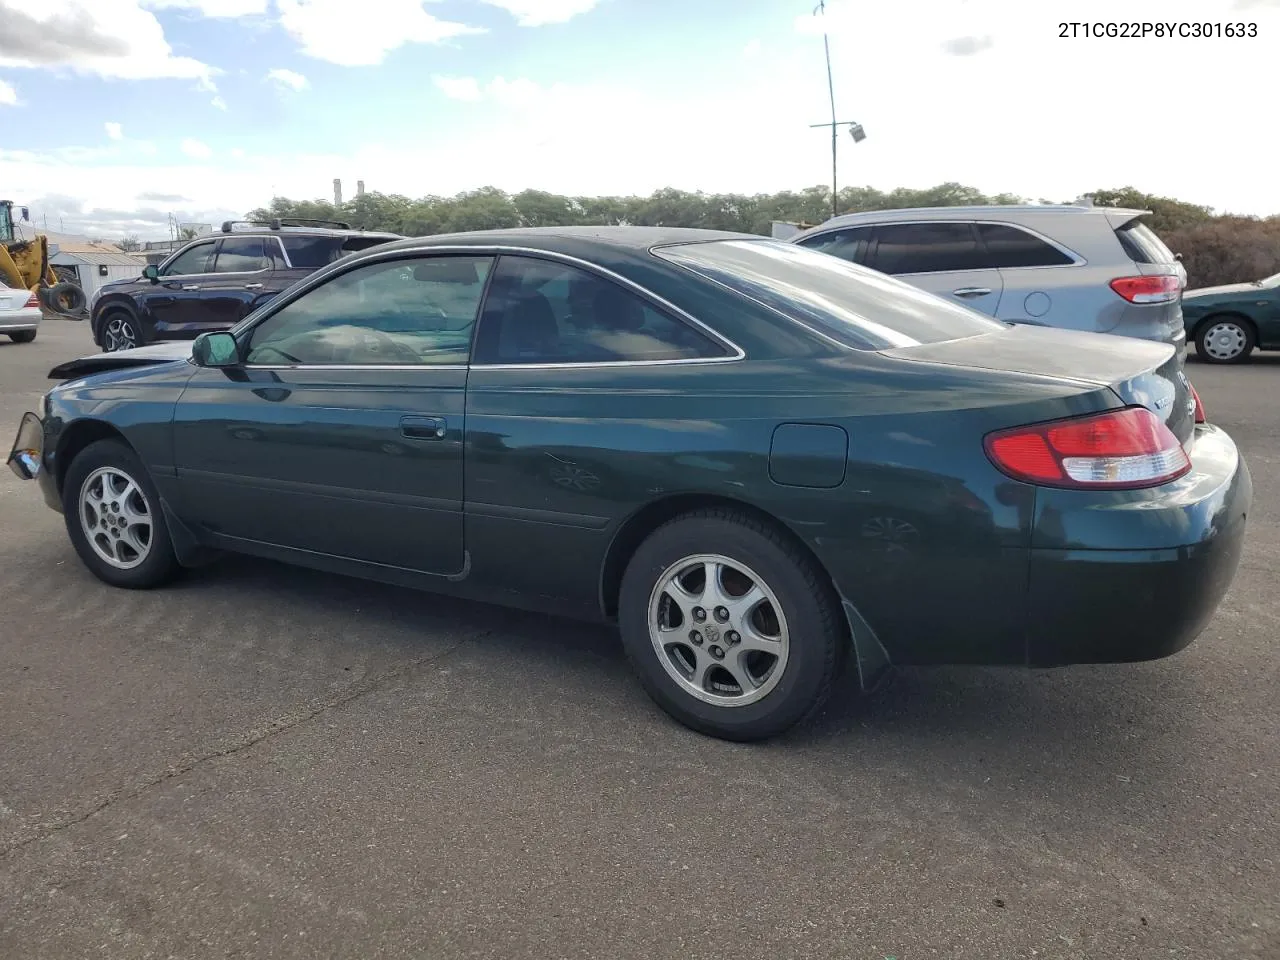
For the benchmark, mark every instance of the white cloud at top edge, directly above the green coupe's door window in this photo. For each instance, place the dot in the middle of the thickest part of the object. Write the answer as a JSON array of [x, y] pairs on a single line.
[[328, 30]]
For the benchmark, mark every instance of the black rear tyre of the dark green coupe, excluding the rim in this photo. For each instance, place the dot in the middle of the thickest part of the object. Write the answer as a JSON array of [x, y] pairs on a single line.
[[817, 641]]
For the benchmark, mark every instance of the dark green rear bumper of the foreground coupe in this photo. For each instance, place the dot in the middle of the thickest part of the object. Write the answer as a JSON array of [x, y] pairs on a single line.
[[1122, 606]]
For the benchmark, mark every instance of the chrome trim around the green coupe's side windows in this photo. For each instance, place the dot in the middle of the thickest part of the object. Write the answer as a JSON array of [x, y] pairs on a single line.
[[374, 255]]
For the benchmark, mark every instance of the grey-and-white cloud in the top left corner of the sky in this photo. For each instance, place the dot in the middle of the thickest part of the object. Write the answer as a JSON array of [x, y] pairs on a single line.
[[102, 38]]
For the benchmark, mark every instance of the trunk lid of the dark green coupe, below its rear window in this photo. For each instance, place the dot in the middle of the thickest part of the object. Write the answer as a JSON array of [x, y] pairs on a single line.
[[1142, 373]]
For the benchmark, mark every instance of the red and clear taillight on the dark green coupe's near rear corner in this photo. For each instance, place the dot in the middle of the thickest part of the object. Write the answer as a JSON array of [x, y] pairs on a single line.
[[1121, 450]]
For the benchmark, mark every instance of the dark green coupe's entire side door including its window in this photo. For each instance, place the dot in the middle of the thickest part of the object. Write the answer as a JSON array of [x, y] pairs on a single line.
[[342, 431]]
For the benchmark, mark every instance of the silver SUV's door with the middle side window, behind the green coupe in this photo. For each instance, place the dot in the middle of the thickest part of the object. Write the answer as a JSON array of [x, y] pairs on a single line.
[[941, 257]]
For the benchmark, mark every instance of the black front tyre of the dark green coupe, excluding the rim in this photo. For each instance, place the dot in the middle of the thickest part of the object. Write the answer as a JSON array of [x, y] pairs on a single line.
[[159, 565]]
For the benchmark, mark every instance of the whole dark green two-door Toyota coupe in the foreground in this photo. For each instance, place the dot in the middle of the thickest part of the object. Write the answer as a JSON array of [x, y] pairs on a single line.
[[758, 460]]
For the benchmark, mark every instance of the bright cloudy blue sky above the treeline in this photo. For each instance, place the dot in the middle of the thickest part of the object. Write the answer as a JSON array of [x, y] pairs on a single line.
[[115, 113]]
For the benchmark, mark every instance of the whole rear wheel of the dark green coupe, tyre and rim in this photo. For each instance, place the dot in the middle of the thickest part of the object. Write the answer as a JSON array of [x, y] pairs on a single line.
[[732, 628]]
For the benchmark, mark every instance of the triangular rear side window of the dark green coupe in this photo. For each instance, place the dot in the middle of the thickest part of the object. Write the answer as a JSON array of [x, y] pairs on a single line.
[[543, 312]]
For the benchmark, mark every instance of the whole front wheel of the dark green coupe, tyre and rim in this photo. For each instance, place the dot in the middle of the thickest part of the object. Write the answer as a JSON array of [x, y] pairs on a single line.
[[115, 518]]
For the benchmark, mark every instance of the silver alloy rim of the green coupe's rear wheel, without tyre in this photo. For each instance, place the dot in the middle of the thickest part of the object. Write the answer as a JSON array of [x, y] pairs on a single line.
[[719, 630]]
